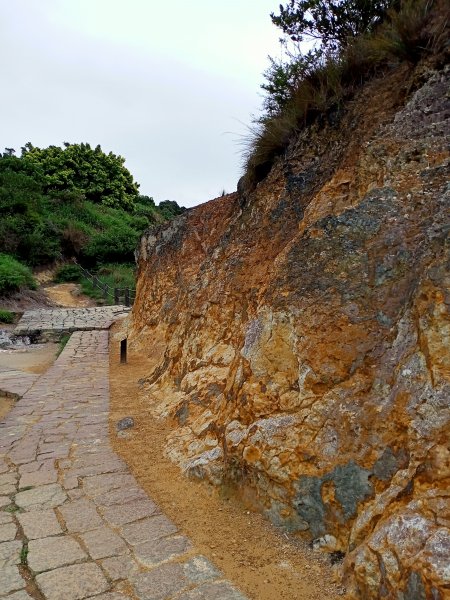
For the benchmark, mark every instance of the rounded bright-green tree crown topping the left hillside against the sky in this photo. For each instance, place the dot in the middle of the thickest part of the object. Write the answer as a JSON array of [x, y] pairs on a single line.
[[102, 178]]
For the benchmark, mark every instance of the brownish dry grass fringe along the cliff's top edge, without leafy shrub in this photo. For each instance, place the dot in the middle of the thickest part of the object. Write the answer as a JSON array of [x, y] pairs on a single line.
[[407, 34]]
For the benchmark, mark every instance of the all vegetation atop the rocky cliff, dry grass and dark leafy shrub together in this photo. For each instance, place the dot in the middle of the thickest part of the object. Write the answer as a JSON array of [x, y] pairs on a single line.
[[353, 41]]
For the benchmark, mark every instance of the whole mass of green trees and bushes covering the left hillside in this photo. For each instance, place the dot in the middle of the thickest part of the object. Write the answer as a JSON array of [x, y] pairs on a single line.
[[72, 202]]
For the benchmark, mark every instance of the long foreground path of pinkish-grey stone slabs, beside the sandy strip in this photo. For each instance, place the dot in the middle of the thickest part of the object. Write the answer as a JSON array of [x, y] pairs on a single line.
[[74, 523]]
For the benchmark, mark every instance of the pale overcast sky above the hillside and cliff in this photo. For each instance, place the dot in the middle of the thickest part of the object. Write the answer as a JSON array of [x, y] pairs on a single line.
[[168, 85]]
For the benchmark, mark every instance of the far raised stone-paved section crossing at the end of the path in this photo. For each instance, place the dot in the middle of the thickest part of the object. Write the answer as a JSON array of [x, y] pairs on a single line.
[[68, 319]]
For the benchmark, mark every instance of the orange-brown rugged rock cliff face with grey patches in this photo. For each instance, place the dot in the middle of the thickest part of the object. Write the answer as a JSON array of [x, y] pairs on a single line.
[[300, 337]]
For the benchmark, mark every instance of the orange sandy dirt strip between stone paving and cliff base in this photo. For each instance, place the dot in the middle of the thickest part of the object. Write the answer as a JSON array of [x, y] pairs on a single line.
[[266, 564]]
